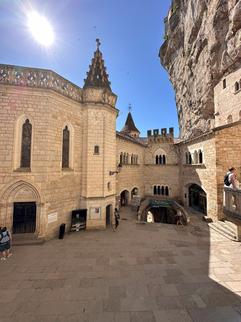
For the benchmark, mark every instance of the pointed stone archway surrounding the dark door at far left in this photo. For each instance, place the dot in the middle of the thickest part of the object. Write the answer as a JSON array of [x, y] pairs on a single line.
[[15, 200]]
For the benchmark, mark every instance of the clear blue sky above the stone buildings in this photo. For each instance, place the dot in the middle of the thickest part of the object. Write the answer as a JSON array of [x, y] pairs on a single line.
[[131, 33]]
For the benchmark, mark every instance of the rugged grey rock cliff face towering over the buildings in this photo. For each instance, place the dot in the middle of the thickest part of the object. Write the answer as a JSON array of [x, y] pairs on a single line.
[[202, 44]]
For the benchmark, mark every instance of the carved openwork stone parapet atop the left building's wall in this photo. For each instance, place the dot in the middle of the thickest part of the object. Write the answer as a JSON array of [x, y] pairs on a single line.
[[39, 78]]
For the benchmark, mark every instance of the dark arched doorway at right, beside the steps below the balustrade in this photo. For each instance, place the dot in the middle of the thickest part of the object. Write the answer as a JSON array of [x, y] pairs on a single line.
[[197, 198]]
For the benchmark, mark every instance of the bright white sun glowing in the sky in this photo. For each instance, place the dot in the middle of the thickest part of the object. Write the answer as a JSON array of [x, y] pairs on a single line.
[[40, 28]]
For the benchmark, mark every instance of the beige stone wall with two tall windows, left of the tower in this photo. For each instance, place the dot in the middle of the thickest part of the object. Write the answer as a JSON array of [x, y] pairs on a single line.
[[58, 191]]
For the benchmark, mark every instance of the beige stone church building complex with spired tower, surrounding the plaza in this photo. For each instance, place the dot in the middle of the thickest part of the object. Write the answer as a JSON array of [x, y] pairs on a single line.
[[60, 152]]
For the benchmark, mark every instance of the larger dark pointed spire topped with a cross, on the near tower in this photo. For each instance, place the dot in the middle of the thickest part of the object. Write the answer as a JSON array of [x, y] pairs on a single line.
[[97, 75]]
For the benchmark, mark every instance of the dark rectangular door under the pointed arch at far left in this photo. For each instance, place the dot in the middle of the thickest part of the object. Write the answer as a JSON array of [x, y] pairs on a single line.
[[24, 217]]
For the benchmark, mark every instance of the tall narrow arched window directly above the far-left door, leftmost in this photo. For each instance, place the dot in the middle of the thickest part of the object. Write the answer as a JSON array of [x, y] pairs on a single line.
[[25, 161]]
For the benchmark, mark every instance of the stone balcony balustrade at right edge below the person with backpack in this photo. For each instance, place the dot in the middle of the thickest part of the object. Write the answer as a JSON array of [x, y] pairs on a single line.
[[232, 203]]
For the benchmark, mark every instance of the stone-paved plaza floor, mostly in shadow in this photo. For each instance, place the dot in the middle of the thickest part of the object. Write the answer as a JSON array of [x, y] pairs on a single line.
[[141, 273]]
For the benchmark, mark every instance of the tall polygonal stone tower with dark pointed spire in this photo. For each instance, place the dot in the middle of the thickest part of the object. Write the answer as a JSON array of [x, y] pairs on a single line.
[[99, 146]]
